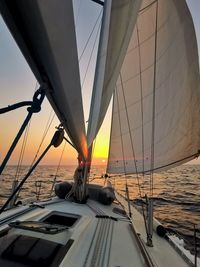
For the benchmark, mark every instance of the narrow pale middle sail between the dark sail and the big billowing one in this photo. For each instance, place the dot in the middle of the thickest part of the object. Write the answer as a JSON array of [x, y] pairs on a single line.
[[119, 18]]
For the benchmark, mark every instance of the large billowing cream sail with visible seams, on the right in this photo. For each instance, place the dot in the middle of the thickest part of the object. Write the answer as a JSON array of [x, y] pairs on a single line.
[[155, 123]]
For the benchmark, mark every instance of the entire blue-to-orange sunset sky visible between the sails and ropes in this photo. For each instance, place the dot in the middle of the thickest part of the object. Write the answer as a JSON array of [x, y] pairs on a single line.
[[17, 83]]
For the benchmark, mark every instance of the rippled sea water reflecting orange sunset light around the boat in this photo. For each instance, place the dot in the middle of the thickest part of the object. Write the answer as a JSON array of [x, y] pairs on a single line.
[[176, 193]]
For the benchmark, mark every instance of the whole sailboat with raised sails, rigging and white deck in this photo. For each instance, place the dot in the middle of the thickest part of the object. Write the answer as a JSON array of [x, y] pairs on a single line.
[[148, 61]]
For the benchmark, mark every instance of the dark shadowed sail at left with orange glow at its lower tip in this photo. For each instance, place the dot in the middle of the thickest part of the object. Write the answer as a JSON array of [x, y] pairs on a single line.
[[45, 33]]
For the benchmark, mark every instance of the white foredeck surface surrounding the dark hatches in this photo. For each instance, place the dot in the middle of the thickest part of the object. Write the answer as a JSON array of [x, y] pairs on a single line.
[[102, 241]]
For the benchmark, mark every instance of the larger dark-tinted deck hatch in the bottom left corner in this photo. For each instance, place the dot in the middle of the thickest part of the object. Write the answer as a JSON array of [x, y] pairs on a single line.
[[26, 251]]
